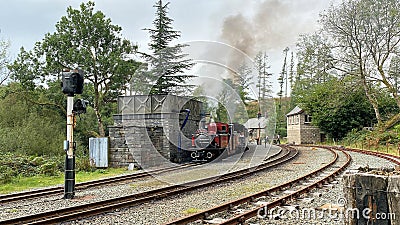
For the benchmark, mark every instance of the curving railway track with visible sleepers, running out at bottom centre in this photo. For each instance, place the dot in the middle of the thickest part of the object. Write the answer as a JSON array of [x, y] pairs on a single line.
[[252, 208]]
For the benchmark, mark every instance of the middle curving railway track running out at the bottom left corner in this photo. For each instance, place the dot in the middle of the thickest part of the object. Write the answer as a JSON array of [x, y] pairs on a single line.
[[91, 209]]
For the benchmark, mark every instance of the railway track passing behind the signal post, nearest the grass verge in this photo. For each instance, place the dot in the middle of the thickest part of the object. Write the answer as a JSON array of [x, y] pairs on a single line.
[[84, 185]]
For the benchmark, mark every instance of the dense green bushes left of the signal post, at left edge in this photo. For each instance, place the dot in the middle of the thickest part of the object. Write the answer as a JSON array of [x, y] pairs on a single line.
[[28, 128]]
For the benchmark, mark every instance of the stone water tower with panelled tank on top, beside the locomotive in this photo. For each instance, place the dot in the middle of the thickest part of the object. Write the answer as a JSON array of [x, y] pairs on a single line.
[[146, 129]]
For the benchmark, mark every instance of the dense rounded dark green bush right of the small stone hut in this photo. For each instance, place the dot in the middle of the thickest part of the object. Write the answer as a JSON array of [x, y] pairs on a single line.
[[337, 107]]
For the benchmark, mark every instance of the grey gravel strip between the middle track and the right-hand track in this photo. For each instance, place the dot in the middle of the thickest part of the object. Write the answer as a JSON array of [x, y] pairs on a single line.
[[158, 212]]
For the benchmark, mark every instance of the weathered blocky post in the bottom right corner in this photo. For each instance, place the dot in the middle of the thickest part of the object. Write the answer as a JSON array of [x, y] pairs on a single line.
[[372, 199]]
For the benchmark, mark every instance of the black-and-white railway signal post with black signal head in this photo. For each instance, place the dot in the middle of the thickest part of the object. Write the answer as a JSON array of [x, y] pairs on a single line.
[[72, 83]]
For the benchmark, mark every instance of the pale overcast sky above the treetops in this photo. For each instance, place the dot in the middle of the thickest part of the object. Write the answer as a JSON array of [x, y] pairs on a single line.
[[271, 25]]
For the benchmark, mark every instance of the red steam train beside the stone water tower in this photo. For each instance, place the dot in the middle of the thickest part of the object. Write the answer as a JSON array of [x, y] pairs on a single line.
[[215, 139]]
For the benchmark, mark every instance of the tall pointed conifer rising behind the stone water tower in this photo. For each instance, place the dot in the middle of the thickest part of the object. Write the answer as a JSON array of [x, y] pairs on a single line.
[[166, 63]]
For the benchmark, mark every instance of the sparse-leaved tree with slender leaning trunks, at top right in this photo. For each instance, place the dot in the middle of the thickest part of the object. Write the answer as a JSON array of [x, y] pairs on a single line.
[[366, 33]]
